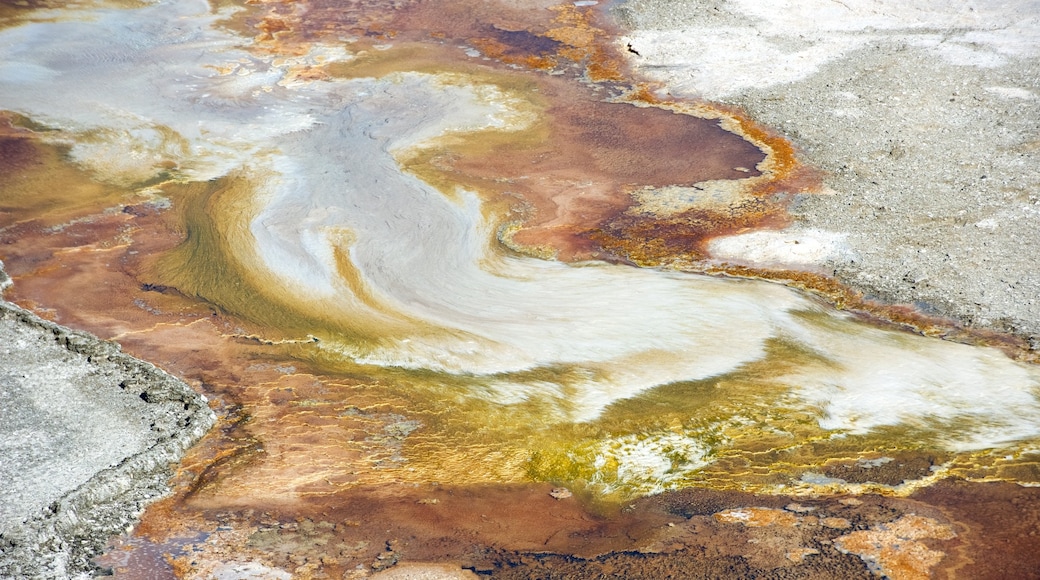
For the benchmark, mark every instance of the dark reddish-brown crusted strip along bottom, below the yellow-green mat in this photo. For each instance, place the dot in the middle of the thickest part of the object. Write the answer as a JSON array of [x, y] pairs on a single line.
[[522, 532]]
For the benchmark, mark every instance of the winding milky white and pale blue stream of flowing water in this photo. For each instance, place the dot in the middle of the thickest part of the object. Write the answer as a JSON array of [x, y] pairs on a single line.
[[405, 276]]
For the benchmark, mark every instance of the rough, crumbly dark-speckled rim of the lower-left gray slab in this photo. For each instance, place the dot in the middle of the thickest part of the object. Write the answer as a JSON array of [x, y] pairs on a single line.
[[62, 540]]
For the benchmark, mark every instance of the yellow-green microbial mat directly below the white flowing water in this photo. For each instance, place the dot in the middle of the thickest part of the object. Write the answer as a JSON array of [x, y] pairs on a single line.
[[741, 431]]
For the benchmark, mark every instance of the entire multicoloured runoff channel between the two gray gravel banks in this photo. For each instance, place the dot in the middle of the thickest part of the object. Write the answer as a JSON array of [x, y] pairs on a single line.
[[441, 270]]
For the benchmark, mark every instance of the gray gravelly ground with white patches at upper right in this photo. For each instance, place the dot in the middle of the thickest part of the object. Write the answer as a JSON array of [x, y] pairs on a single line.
[[934, 165]]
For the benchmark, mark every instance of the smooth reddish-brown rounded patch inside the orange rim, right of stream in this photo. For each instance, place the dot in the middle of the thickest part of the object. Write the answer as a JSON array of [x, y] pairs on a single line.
[[580, 181]]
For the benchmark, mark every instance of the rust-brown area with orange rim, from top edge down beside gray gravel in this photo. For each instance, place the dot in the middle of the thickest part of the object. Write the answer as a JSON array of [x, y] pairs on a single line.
[[577, 216]]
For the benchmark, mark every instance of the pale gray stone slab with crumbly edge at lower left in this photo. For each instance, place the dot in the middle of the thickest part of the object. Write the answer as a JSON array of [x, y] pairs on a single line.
[[88, 437]]
